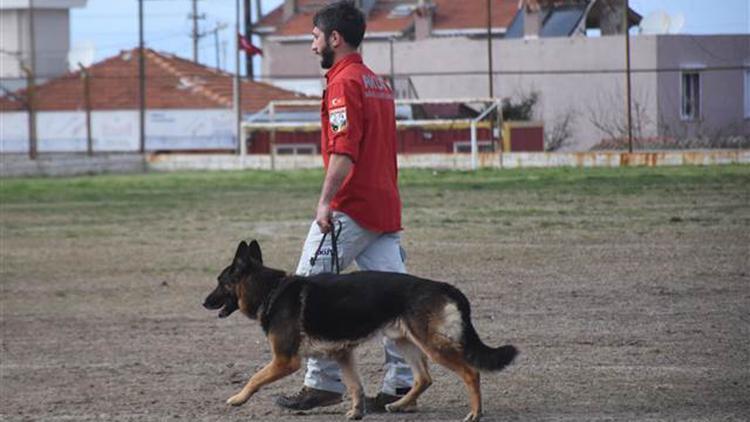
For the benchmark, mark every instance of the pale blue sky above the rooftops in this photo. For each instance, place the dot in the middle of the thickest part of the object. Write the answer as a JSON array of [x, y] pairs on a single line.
[[109, 26]]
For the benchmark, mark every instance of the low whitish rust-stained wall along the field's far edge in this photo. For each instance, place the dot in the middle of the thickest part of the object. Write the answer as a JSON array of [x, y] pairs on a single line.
[[14, 165]]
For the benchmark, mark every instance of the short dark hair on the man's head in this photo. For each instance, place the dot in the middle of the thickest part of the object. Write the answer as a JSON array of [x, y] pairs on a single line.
[[343, 17]]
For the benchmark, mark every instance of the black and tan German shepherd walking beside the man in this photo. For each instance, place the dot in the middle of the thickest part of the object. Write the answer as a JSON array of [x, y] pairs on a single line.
[[330, 315]]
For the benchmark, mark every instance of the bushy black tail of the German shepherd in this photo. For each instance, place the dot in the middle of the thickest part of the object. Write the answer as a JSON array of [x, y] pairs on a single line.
[[477, 353]]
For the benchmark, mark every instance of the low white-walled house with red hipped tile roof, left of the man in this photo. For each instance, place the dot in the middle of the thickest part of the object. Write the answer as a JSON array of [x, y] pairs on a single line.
[[188, 106]]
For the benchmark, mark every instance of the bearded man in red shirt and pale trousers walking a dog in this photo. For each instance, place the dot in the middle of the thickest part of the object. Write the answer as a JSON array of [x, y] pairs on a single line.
[[359, 199]]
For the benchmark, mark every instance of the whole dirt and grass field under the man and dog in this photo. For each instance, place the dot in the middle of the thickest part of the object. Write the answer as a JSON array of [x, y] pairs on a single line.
[[627, 292]]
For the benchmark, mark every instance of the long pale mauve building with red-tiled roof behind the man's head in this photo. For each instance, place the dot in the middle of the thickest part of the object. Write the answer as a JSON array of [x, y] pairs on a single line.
[[571, 53]]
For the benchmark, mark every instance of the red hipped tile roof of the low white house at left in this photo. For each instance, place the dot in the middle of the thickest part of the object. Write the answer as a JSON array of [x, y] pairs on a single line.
[[171, 82]]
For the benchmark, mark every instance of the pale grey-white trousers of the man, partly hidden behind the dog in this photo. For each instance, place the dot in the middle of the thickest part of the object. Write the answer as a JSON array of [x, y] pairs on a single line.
[[371, 251]]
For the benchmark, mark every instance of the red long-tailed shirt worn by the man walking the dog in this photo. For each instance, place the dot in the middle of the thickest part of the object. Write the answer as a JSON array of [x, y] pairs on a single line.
[[358, 120]]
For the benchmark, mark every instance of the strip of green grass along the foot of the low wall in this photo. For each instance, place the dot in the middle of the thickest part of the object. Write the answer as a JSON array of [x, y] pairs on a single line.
[[183, 186]]
